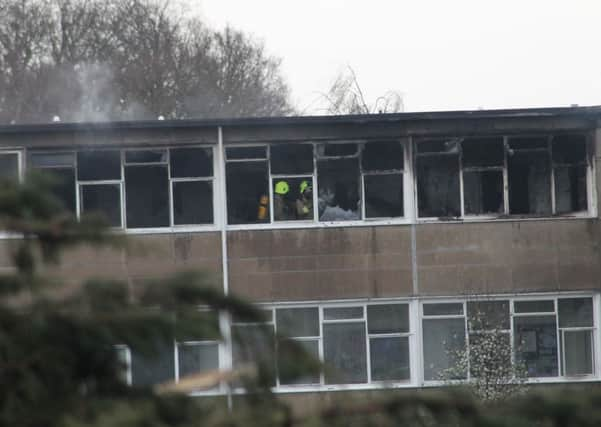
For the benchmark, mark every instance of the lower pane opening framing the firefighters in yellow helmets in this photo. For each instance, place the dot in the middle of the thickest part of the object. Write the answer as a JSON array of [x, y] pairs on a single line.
[[292, 199]]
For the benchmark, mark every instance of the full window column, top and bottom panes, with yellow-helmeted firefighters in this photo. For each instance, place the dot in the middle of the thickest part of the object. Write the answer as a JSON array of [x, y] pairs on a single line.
[[292, 181]]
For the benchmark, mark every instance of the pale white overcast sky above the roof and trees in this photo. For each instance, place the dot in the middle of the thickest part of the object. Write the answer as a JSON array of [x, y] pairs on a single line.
[[439, 55]]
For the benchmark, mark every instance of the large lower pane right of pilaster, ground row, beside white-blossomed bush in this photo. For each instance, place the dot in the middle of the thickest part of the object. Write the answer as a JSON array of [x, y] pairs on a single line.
[[444, 341]]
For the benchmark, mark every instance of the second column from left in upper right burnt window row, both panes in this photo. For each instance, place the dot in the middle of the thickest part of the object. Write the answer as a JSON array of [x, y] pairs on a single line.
[[483, 162]]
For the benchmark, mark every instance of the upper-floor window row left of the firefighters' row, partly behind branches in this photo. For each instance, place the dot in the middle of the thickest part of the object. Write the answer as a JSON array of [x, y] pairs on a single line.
[[135, 188]]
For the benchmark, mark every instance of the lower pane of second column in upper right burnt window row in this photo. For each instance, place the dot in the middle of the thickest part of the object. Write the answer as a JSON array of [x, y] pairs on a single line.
[[483, 192]]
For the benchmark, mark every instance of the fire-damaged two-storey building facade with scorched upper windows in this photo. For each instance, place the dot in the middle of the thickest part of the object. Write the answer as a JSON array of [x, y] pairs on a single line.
[[369, 239]]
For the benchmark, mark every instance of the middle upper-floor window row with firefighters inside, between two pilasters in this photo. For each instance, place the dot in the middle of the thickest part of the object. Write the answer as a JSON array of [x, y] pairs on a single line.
[[337, 181]]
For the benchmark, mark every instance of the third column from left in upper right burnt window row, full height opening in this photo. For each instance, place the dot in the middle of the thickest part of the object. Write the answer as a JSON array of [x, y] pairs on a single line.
[[529, 176]]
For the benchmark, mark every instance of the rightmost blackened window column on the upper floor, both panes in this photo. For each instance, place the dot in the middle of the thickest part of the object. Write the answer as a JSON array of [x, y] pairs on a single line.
[[570, 173]]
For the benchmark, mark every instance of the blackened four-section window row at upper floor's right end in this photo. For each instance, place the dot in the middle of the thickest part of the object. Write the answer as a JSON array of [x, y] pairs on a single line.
[[517, 175]]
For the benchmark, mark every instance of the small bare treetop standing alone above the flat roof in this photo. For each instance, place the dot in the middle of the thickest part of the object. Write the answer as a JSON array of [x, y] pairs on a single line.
[[345, 96]]
